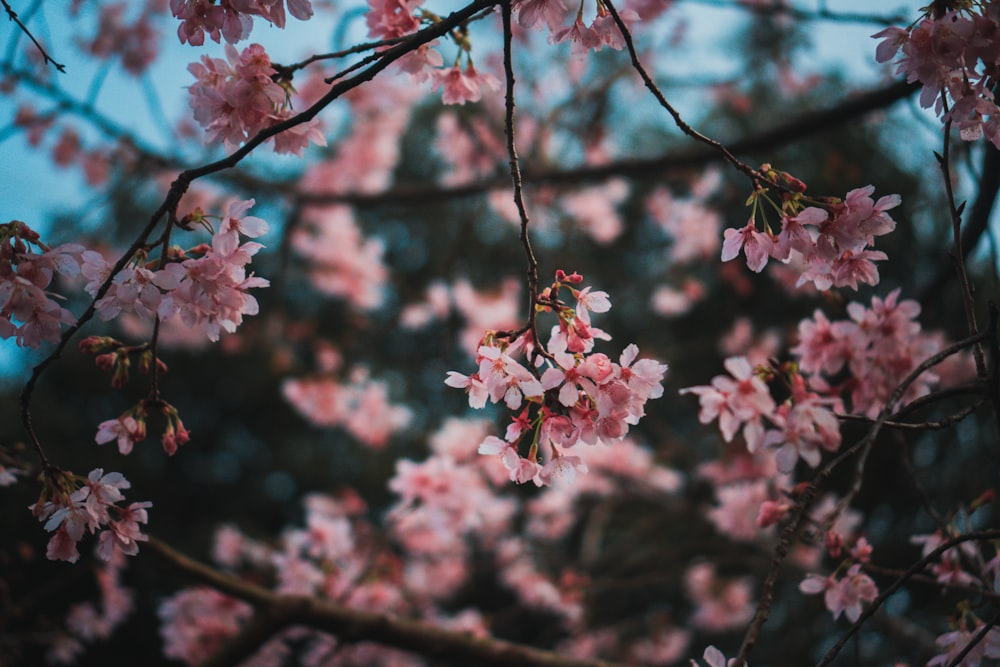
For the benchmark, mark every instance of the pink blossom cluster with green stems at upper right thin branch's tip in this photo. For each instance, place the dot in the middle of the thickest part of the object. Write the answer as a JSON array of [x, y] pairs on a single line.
[[830, 244]]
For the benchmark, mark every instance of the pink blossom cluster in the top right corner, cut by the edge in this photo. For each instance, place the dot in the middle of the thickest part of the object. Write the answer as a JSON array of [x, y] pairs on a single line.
[[957, 55]]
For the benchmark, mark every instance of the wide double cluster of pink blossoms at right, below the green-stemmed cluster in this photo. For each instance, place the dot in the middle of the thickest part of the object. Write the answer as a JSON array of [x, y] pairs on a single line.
[[878, 347]]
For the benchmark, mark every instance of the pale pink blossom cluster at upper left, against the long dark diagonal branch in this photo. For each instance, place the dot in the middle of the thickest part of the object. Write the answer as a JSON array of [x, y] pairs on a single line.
[[236, 98]]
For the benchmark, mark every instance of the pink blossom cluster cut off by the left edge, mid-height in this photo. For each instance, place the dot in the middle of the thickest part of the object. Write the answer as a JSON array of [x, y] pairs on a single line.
[[28, 311]]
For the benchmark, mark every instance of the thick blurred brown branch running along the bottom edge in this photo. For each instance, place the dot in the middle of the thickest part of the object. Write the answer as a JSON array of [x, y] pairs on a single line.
[[355, 625]]
